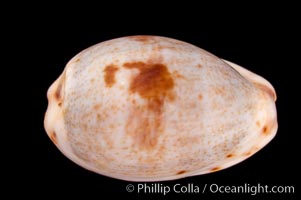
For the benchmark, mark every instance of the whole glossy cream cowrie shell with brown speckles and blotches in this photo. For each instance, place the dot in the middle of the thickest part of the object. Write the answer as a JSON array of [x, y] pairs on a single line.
[[150, 108]]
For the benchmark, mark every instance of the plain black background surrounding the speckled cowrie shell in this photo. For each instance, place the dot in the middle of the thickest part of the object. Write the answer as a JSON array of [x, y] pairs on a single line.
[[263, 45]]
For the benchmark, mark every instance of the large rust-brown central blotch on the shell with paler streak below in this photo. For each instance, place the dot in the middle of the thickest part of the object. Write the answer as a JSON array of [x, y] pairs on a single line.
[[154, 84]]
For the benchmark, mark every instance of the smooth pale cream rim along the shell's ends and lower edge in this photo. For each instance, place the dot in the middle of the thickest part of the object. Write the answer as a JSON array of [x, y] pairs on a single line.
[[55, 128]]
